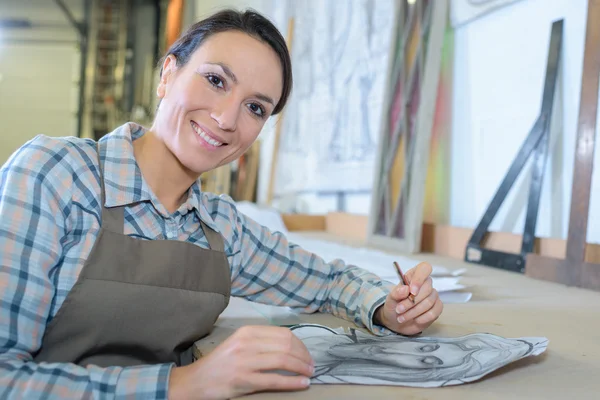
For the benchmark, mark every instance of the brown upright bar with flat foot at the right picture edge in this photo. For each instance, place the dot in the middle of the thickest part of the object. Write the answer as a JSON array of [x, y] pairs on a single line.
[[574, 270]]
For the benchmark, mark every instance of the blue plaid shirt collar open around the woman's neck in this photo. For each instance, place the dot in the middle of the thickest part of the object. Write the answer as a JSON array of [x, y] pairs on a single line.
[[123, 180]]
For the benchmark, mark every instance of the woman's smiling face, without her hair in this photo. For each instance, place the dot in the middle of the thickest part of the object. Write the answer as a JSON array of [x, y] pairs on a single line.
[[214, 107]]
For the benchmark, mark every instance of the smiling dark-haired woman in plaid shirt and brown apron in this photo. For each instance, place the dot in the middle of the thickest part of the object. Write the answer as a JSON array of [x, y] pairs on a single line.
[[114, 262]]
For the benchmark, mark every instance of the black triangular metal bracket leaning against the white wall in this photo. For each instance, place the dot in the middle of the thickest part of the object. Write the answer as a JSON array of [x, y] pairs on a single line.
[[536, 143]]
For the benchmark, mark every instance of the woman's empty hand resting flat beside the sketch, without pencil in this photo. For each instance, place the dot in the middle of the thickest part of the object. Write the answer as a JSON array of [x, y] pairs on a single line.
[[240, 366]]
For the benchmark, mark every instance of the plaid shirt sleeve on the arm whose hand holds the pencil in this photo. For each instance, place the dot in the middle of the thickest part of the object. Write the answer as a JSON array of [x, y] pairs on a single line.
[[266, 268]]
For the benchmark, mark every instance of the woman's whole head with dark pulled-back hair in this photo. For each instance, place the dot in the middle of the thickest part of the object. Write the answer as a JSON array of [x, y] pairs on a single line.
[[217, 89]]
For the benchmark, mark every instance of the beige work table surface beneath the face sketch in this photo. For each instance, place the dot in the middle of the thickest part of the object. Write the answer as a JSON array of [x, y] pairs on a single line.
[[504, 303]]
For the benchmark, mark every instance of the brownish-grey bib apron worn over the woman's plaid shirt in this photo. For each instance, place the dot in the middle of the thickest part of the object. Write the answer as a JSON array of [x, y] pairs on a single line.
[[139, 301]]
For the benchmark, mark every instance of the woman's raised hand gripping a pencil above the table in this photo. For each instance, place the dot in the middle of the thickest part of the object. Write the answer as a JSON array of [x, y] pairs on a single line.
[[400, 314]]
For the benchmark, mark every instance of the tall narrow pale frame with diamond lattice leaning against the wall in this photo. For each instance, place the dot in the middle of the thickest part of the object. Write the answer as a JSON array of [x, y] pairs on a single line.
[[404, 143]]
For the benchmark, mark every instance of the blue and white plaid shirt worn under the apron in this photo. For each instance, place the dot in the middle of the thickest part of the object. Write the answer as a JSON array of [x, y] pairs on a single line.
[[50, 218]]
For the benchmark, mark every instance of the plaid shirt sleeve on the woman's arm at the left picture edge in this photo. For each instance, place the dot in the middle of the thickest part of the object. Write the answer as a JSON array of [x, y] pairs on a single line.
[[35, 187]]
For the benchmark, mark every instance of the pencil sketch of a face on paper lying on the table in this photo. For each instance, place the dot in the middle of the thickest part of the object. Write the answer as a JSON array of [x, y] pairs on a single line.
[[359, 358]]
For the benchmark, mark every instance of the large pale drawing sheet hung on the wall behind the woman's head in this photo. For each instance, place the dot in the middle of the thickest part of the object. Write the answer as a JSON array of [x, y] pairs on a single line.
[[332, 122]]
